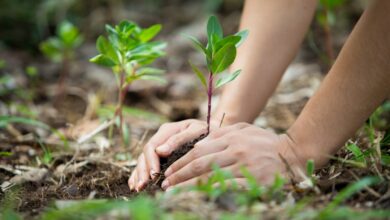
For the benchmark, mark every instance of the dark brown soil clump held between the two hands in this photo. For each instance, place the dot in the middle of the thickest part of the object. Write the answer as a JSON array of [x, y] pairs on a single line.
[[168, 161]]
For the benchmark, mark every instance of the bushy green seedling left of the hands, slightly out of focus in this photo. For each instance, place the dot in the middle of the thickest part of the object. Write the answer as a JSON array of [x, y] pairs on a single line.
[[127, 51]]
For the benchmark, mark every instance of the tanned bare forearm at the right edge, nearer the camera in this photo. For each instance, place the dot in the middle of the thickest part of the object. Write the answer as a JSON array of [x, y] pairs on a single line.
[[357, 83]]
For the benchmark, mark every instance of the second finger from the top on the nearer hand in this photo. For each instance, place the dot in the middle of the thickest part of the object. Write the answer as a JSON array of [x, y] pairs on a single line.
[[198, 167]]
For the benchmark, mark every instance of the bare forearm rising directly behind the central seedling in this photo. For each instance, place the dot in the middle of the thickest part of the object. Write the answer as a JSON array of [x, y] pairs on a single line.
[[276, 29]]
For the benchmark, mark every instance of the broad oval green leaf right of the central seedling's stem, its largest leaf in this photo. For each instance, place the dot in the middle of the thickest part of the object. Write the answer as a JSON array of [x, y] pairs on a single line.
[[223, 58]]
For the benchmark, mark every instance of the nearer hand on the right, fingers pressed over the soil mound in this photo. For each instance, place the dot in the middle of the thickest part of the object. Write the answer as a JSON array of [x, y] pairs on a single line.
[[233, 147]]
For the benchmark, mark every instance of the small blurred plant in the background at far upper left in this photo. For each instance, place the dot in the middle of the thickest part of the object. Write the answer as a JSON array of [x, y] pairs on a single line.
[[61, 49]]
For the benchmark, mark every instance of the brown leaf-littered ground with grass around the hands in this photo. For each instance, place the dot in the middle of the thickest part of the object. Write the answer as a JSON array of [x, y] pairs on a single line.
[[52, 167]]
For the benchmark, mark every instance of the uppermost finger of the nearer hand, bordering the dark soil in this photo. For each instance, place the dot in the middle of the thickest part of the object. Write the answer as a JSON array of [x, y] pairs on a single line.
[[200, 150]]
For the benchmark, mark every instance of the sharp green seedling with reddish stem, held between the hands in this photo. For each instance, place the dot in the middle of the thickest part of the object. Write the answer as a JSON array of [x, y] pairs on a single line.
[[220, 53]]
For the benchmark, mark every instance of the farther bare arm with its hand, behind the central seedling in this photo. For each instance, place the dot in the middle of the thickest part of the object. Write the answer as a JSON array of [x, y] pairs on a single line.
[[265, 54]]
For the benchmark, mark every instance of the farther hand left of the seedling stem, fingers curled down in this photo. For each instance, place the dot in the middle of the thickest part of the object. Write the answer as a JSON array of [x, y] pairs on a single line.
[[168, 138]]
